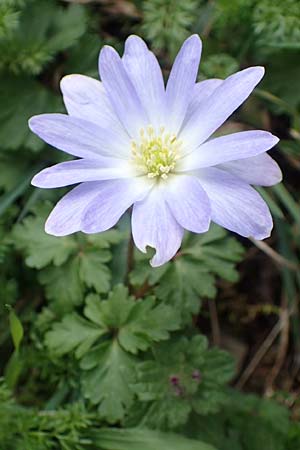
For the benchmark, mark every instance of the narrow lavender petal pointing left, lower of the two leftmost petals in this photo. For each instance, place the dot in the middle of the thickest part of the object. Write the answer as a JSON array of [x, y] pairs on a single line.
[[81, 170]]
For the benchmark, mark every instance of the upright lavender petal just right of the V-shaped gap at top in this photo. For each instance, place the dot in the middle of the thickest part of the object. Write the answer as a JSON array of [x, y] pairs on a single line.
[[180, 86]]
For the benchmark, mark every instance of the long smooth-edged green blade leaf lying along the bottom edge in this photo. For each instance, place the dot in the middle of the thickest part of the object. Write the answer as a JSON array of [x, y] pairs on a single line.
[[142, 439]]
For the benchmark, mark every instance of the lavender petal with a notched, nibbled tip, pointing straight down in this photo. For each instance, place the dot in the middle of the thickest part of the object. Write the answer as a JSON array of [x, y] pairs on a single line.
[[154, 225]]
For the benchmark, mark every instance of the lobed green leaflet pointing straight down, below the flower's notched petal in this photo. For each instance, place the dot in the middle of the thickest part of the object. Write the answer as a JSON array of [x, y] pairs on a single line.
[[109, 373]]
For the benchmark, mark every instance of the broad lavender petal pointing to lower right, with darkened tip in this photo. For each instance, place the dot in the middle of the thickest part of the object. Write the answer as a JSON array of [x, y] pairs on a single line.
[[235, 205]]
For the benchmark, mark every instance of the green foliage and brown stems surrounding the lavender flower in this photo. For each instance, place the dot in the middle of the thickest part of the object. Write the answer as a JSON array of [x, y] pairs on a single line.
[[99, 350]]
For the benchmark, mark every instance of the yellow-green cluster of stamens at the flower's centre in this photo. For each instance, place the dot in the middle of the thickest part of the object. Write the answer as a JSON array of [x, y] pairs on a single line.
[[156, 152]]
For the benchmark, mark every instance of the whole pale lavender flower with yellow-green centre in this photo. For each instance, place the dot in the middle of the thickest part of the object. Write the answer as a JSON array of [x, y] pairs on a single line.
[[145, 145]]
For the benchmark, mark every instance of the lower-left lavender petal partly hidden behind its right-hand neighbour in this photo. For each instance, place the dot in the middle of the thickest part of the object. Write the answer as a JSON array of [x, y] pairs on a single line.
[[67, 215]]
